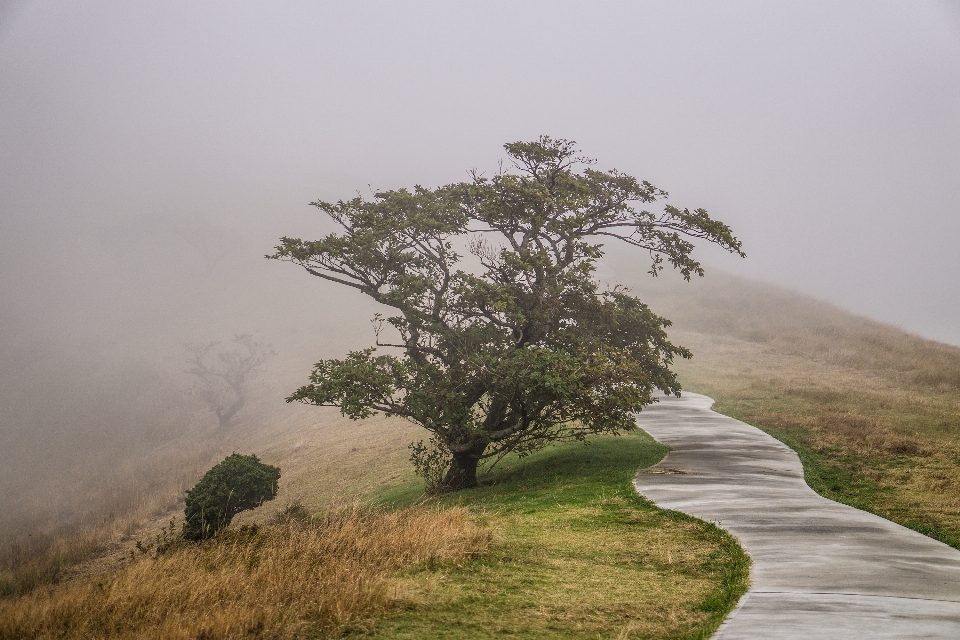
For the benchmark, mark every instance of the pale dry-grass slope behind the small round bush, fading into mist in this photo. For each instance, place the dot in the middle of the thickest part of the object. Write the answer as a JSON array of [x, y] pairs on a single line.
[[324, 458]]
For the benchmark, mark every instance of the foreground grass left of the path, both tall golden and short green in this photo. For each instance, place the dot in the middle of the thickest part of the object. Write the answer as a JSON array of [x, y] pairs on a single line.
[[557, 545]]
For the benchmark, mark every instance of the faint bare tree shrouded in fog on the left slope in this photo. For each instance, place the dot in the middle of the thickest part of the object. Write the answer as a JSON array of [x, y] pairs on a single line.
[[222, 376]]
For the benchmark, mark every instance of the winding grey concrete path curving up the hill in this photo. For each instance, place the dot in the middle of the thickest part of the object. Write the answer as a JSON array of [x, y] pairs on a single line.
[[820, 569]]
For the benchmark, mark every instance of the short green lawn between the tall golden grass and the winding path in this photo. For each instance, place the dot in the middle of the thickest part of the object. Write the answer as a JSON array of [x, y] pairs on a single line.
[[576, 554]]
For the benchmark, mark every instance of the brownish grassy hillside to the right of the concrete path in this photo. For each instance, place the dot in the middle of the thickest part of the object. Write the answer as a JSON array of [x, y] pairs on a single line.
[[873, 411]]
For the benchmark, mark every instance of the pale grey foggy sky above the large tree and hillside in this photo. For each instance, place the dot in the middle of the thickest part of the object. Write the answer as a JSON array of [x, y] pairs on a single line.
[[827, 134]]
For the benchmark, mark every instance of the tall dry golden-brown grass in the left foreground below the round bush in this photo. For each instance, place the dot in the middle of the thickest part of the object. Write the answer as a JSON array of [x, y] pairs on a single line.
[[281, 580]]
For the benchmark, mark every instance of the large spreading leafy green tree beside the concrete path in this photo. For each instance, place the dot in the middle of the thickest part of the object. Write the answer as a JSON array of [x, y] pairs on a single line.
[[524, 349]]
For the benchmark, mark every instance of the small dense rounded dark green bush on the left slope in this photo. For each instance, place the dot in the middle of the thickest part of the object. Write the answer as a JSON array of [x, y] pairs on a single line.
[[234, 485]]
